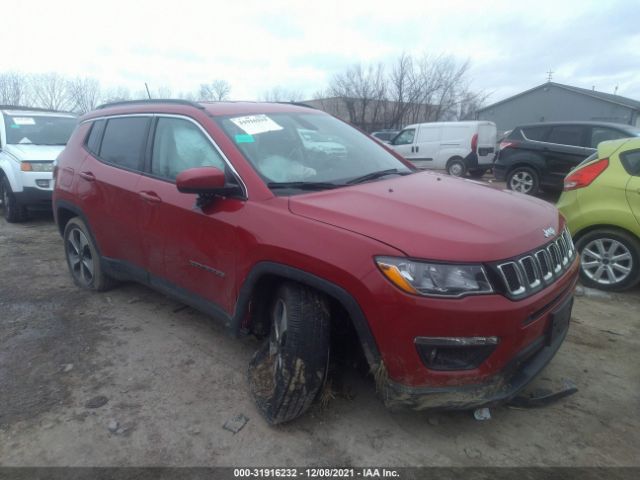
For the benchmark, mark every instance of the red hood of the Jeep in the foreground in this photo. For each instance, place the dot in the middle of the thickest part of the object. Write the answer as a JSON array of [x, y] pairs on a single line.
[[437, 217]]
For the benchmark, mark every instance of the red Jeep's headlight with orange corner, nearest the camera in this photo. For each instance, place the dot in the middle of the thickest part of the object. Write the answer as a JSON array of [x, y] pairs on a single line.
[[434, 279]]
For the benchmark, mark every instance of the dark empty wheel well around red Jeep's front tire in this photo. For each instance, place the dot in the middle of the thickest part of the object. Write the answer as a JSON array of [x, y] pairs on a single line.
[[345, 342]]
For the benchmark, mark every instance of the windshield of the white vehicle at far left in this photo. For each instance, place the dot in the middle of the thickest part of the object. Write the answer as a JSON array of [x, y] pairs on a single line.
[[31, 128]]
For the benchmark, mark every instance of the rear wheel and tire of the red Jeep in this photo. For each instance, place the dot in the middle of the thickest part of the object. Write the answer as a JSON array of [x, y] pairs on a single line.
[[83, 258]]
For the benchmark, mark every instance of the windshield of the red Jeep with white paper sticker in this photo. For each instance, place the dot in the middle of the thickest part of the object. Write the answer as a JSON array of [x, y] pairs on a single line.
[[278, 147]]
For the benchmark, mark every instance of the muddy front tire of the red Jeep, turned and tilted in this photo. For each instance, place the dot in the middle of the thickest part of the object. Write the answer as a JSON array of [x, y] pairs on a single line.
[[288, 371]]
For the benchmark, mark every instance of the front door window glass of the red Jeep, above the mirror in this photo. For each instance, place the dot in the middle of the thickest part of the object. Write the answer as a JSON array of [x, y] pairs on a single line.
[[179, 145]]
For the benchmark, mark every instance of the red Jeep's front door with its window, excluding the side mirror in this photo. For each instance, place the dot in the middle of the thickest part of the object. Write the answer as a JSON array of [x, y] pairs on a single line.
[[190, 251]]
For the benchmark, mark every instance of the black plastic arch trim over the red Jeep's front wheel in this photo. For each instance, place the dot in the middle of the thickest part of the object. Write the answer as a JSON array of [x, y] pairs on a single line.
[[360, 323]]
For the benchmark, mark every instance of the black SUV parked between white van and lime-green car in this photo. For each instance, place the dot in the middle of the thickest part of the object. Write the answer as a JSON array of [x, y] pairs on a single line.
[[539, 156]]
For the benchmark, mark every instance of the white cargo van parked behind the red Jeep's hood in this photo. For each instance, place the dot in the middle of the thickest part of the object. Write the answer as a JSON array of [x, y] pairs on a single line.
[[457, 147]]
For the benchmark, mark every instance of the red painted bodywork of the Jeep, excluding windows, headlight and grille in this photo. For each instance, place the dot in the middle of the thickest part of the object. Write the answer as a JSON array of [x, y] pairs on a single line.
[[334, 235]]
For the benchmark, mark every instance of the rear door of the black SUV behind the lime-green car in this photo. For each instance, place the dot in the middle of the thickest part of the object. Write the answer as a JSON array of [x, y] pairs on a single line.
[[565, 148]]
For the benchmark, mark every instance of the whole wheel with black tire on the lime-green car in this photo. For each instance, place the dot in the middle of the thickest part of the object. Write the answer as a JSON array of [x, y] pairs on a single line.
[[618, 251]]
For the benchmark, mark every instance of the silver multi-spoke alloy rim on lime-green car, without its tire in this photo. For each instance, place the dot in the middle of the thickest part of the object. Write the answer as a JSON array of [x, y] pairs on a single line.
[[606, 261]]
